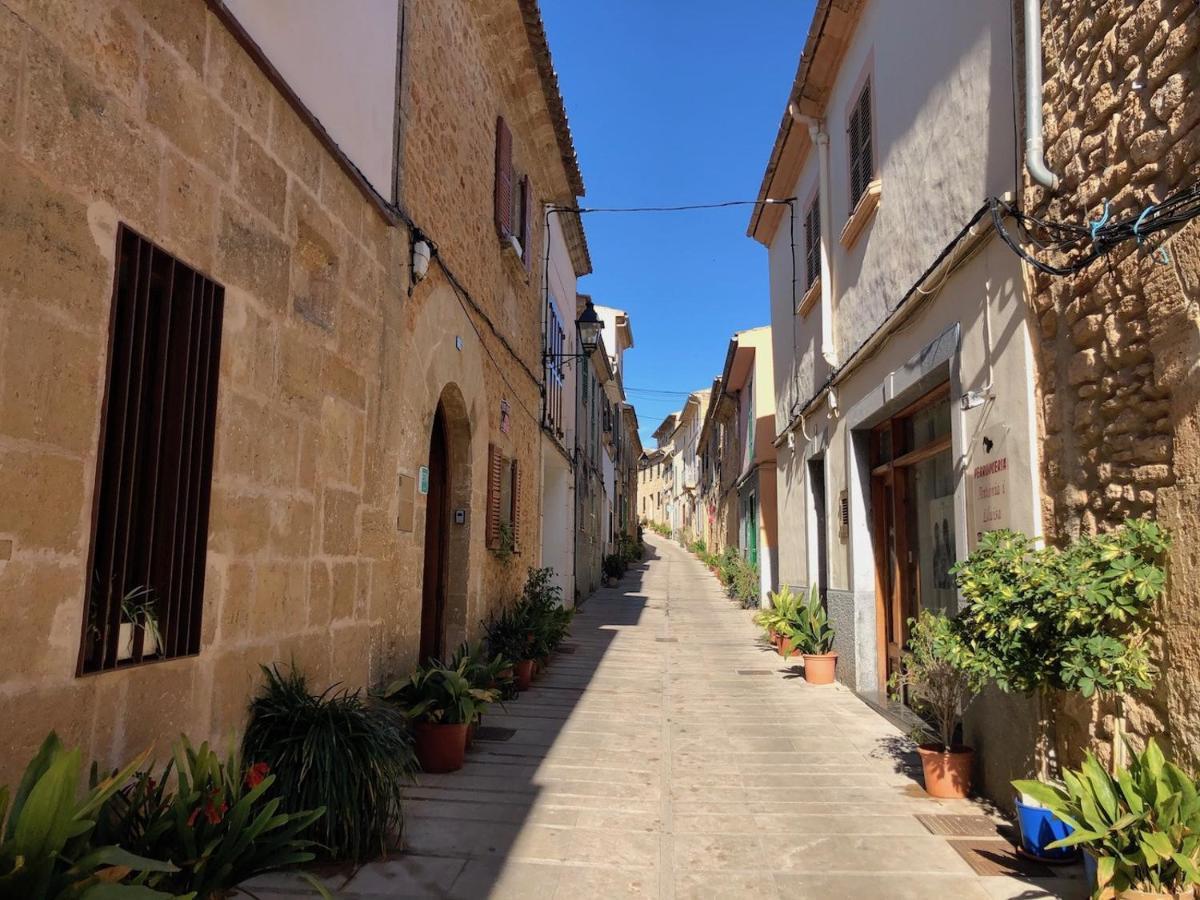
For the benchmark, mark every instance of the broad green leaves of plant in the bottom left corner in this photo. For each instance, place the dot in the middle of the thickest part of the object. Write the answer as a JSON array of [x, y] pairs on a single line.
[[51, 849]]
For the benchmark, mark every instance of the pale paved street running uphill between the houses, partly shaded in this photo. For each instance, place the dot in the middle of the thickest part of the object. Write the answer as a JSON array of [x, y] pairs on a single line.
[[671, 755]]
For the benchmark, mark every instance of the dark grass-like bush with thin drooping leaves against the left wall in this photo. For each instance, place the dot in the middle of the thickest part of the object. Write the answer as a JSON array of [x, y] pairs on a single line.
[[337, 751]]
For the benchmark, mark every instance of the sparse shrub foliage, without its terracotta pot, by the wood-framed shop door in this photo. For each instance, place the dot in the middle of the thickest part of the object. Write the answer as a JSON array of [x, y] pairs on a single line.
[[937, 687]]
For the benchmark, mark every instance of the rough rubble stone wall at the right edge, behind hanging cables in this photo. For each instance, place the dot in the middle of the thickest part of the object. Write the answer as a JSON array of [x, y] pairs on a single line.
[[1120, 343]]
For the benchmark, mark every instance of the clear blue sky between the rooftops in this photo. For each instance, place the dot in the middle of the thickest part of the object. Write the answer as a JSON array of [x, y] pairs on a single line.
[[675, 103]]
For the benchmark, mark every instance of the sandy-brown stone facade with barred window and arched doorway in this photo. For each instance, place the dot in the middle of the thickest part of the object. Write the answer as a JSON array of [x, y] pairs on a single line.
[[334, 364]]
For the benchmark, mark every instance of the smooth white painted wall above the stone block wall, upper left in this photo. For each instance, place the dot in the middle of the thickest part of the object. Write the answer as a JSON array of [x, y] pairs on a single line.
[[340, 59]]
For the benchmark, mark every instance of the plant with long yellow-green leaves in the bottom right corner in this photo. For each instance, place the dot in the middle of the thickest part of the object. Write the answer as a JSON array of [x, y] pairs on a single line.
[[1141, 825]]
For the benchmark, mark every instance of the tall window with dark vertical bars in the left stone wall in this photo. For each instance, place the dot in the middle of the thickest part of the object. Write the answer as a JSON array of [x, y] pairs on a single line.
[[154, 470]]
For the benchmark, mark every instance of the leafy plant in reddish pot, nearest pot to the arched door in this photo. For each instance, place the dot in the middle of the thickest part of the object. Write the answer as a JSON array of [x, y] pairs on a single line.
[[441, 704]]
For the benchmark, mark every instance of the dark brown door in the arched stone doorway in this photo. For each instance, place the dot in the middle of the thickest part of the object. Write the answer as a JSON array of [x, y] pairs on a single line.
[[437, 543]]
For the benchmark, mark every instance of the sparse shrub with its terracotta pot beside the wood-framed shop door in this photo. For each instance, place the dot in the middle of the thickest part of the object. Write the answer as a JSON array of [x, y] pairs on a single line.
[[940, 691]]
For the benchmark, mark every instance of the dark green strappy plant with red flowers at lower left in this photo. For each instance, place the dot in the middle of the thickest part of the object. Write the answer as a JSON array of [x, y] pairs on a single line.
[[219, 827]]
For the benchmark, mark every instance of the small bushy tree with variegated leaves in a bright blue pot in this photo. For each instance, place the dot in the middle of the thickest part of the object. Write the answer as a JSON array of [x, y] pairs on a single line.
[[1042, 621]]
